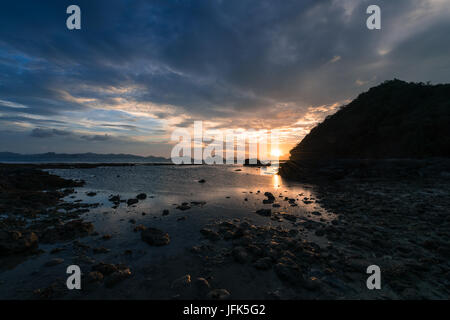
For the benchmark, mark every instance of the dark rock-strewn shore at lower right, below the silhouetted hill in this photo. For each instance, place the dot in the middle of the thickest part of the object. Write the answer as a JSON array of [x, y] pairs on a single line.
[[403, 227]]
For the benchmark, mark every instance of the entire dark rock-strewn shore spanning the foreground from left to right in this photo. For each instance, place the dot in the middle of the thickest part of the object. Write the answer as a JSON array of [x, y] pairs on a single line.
[[274, 252]]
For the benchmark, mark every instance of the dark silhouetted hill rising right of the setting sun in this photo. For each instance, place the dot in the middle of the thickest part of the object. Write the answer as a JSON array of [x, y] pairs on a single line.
[[395, 120]]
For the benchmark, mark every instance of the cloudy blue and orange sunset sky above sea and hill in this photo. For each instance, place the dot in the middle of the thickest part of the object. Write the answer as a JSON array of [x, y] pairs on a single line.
[[137, 70]]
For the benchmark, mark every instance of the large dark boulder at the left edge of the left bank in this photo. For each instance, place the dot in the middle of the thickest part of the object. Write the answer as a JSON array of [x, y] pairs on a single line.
[[12, 242]]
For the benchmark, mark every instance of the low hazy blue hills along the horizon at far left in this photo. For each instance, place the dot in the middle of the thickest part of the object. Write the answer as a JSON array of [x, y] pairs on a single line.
[[50, 157]]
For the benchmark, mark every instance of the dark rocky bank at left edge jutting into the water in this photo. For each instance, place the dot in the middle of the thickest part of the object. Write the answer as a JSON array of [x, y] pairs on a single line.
[[32, 210]]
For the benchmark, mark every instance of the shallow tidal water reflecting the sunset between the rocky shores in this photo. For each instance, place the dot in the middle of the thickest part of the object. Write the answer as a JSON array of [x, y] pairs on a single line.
[[224, 194]]
